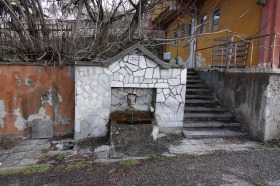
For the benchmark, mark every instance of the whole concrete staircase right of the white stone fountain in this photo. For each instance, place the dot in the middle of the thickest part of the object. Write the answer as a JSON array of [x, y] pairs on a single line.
[[204, 116]]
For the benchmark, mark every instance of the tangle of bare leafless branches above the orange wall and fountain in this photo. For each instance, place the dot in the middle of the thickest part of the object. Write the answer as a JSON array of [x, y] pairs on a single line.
[[115, 25]]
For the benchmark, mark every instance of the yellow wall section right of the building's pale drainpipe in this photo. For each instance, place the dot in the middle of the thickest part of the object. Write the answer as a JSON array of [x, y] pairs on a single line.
[[239, 16]]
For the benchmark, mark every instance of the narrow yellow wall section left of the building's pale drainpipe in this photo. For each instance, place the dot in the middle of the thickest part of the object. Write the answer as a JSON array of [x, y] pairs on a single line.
[[180, 47]]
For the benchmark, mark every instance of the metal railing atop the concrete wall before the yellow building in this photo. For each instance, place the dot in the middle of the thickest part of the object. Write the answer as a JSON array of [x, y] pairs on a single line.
[[237, 52]]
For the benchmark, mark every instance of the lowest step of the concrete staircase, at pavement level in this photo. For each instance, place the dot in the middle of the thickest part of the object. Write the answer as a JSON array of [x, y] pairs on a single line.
[[213, 133]]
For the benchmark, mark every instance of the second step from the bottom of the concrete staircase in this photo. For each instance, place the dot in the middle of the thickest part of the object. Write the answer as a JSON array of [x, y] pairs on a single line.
[[210, 124]]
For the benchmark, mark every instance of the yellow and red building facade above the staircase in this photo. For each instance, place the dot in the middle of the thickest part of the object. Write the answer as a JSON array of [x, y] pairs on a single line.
[[220, 33]]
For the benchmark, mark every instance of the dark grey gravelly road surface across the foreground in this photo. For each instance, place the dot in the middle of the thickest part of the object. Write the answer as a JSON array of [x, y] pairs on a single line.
[[240, 168]]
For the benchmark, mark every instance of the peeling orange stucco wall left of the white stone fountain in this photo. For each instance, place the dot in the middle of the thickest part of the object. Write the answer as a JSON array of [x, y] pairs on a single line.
[[29, 92]]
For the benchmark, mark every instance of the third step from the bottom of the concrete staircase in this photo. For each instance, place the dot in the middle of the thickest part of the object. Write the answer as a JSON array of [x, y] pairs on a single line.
[[208, 117]]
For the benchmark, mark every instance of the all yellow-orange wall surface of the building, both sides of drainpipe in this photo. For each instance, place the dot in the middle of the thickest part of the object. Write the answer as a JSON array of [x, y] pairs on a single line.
[[238, 16]]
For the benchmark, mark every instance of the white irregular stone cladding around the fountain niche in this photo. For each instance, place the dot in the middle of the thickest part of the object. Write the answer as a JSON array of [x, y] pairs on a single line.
[[94, 85]]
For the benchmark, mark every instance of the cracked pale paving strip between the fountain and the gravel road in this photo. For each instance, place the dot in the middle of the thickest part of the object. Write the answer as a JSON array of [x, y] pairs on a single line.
[[29, 152]]
